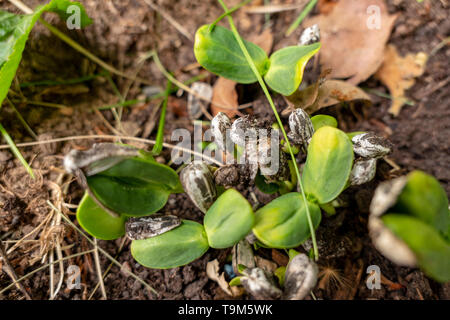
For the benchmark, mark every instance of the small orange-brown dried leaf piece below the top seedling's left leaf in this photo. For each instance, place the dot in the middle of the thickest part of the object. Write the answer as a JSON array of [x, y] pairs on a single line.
[[224, 93]]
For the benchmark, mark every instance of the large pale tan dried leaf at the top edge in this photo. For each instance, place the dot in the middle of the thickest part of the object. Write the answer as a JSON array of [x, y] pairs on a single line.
[[349, 47]]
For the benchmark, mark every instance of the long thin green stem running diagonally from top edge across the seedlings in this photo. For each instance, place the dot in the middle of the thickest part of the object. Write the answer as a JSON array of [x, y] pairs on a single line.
[[272, 105]]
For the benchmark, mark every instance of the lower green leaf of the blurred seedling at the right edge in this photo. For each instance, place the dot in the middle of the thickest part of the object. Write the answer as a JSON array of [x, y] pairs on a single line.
[[431, 250]]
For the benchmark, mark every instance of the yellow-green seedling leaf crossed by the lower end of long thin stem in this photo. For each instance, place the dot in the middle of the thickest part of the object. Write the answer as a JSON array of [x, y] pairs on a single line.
[[283, 223]]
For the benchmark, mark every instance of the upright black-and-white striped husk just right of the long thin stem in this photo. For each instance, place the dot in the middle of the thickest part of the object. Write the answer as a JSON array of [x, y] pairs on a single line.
[[301, 127]]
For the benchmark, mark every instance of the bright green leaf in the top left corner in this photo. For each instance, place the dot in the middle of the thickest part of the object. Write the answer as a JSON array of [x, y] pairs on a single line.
[[14, 32]]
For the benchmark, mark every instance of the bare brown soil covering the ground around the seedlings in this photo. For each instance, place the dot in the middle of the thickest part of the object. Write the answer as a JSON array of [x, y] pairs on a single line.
[[122, 32]]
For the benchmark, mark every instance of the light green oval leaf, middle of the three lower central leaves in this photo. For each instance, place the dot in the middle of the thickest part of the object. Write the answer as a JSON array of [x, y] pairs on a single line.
[[228, 220]]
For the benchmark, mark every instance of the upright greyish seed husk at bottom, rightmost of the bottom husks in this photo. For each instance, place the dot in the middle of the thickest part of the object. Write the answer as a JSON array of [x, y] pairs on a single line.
[[300, 278]]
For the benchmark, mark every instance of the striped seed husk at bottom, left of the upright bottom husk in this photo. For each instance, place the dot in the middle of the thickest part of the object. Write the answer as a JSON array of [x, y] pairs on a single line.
[[260, 284]]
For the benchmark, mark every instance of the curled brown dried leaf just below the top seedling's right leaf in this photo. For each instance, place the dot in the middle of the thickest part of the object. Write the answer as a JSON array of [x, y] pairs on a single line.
[[330, 92]]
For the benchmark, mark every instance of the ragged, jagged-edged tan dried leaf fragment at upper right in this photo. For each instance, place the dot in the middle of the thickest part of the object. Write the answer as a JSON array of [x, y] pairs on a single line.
[[398, 74]]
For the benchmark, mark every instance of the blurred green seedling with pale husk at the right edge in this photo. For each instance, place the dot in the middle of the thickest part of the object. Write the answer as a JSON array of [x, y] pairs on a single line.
[[410, 223]]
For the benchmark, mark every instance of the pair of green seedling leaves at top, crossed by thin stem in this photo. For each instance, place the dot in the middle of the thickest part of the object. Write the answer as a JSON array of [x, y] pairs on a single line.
[[218, 51]]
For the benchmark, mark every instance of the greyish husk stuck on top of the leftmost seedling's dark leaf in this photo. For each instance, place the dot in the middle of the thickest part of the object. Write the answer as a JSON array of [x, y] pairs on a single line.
[[100, 157]]
